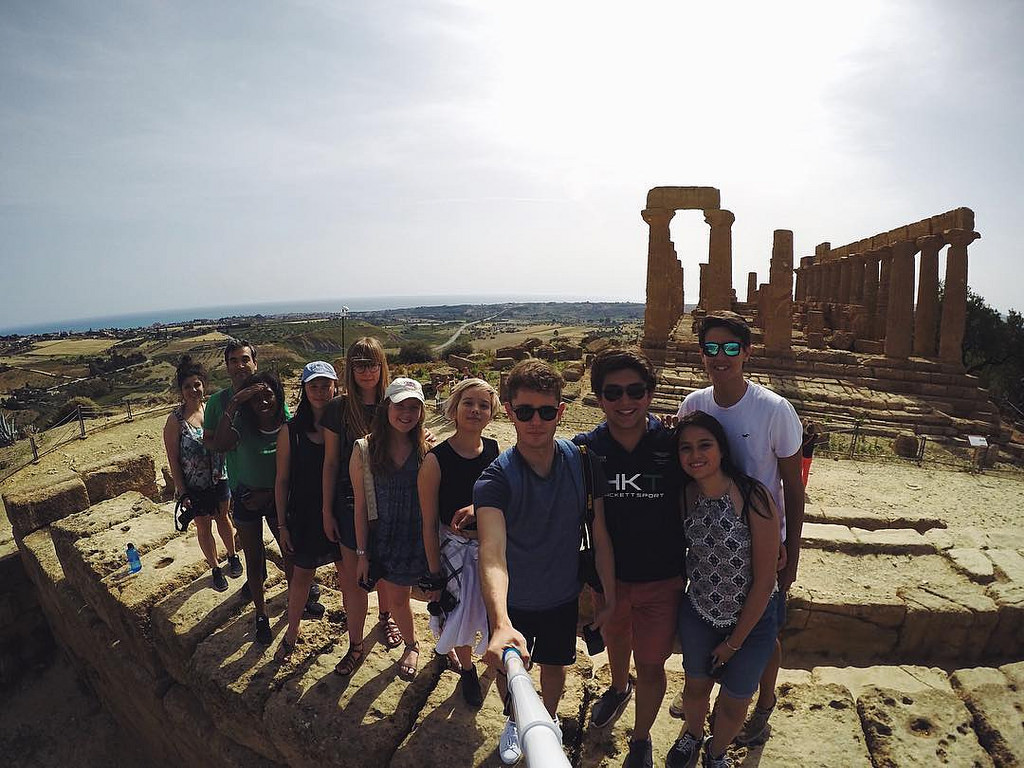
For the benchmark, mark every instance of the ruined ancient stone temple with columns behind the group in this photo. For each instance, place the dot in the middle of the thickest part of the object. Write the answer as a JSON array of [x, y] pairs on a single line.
[[861, 336]]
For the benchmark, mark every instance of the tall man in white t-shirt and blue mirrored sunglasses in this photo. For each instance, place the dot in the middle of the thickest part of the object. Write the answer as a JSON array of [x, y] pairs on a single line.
[[765, 438]]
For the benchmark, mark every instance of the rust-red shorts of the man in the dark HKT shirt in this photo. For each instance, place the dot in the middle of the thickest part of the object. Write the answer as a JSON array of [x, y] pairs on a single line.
[[648, 611]]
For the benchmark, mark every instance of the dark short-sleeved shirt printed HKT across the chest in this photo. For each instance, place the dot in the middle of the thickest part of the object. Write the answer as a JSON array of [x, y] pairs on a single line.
[[642, 504]]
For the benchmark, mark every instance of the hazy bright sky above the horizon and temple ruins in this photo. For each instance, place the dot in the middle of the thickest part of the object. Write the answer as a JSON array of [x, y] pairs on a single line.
[[183, 154]]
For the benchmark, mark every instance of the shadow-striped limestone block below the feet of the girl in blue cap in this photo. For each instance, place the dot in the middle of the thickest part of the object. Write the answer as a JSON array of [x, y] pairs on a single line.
[[233, 676]]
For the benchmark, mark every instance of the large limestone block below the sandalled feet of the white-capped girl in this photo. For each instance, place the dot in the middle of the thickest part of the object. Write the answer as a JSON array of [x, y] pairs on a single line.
[[316, 718]]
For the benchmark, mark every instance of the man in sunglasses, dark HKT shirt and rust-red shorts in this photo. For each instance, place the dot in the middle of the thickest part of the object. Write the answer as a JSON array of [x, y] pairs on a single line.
[[643, 516]]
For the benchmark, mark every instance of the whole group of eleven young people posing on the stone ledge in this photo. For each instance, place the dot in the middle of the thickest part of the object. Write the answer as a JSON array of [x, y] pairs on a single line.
[[693, 524]]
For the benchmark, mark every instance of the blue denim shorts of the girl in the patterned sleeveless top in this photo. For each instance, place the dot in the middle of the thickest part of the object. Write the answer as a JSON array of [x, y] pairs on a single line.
[[743, 673]]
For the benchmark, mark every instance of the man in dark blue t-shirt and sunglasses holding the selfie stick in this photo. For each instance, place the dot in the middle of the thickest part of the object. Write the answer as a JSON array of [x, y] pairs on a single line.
[[531, 506]]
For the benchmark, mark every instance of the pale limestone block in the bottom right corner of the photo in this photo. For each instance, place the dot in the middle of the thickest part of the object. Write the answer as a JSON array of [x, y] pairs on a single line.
[[998, 707]]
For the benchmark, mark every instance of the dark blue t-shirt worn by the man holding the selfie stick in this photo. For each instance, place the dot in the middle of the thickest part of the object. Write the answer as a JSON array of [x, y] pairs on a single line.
[[543, 519]]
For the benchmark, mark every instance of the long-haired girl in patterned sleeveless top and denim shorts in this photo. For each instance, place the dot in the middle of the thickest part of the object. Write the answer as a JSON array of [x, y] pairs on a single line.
[[729, 617]]
